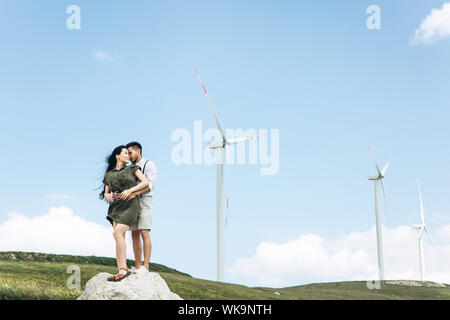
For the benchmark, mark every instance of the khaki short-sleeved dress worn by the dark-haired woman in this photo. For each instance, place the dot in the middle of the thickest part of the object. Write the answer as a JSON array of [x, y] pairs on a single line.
[[122, 211]]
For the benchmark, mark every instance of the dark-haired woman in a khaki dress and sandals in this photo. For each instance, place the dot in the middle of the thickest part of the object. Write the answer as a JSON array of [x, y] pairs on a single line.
[[123, 212]]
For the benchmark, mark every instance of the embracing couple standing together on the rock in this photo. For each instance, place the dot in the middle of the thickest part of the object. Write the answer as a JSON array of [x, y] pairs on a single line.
[[129, 191]]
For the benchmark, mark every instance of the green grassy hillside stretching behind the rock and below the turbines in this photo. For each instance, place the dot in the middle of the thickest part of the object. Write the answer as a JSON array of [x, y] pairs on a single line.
[[43, 276]]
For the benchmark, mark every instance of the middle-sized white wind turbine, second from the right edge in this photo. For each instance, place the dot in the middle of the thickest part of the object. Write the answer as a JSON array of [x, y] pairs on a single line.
[[376, 179]]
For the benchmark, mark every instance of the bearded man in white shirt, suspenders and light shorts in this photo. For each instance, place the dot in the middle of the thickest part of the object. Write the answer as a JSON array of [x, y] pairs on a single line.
[[142, 228]]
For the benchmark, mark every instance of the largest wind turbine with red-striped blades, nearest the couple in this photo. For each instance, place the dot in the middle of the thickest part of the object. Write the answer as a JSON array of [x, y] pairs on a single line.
[[220, 146]]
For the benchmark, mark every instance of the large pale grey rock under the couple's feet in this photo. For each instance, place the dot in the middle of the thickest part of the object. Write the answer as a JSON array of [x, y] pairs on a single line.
[[141, 286]]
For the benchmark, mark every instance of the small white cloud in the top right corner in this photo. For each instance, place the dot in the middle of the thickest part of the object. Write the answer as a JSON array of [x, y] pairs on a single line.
[[436, 26]]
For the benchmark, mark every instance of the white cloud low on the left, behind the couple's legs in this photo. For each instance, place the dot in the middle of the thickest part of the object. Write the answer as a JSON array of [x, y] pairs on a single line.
[[59, 231]]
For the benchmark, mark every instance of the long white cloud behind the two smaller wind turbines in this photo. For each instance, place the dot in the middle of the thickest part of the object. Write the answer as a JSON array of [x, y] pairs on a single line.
[[311, 258]]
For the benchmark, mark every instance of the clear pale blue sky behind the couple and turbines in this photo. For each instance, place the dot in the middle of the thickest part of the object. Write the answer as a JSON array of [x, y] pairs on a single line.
[[310, 69]]
